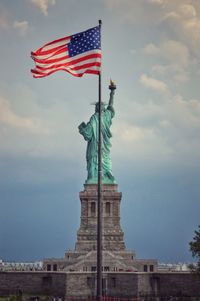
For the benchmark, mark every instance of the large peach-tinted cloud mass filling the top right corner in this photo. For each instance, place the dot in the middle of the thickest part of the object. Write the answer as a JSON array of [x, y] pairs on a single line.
[[179, 18]]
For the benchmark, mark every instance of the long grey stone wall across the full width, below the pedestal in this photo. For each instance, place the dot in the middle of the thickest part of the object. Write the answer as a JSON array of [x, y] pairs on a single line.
[[117, 284]]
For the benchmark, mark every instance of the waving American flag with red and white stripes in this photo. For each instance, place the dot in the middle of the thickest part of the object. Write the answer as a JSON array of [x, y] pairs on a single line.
[[77, 54]]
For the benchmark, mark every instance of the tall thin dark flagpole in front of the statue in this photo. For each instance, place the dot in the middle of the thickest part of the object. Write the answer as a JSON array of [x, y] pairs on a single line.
[[99, 211]]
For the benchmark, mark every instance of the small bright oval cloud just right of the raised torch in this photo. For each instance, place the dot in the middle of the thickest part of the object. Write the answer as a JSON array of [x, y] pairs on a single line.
[[153, 84]]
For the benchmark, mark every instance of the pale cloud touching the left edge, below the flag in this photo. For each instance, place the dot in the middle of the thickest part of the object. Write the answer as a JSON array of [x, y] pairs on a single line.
[[9, 118]]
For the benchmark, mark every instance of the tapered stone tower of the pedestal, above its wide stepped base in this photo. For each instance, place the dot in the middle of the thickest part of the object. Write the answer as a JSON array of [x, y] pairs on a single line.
[[112, 234]]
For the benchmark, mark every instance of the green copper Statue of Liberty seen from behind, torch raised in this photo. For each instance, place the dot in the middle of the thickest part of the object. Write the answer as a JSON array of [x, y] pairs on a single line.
[[90, 134]]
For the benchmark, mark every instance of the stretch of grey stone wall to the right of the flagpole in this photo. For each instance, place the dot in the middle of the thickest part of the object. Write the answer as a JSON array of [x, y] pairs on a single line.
[[153, 284]]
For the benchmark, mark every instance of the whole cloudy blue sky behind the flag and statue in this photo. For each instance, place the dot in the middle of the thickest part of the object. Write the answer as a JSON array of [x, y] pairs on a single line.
[[151, 50]]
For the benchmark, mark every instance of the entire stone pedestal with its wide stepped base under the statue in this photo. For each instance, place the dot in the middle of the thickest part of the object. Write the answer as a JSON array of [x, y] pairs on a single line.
[[115, 256]]
